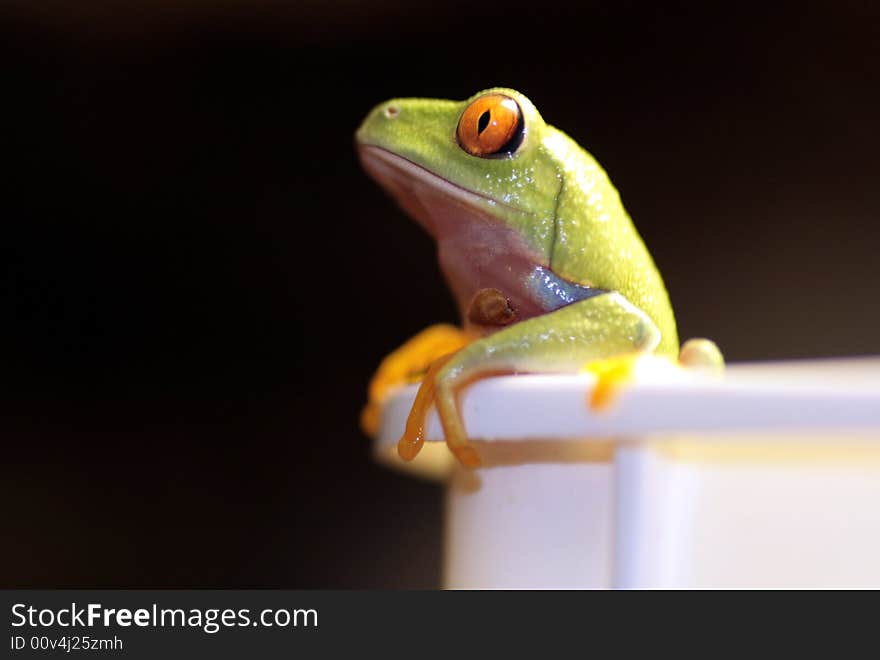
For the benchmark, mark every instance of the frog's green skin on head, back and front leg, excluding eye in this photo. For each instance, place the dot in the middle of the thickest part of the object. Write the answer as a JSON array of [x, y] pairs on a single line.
[[559, 201]]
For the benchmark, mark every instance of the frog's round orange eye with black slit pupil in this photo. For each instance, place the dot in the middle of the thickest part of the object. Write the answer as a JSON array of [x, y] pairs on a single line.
[[491, 126]]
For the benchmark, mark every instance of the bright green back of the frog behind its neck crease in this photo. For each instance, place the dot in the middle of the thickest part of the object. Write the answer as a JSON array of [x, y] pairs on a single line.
[[596, 242]]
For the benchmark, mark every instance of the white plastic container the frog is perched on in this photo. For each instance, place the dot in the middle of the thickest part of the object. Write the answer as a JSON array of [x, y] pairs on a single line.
[[766, 477]]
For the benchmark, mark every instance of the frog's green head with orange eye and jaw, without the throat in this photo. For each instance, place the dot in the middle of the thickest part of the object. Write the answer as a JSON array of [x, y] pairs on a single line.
[[485, 153]]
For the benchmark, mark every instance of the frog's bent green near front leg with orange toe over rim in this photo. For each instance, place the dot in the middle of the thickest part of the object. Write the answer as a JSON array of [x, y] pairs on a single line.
[[561, 341]]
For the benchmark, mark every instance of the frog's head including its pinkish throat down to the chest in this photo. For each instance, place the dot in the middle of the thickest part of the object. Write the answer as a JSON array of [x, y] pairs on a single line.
[[477, 175]]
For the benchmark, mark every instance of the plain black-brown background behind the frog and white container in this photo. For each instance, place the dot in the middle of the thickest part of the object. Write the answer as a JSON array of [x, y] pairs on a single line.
[[198, 280]]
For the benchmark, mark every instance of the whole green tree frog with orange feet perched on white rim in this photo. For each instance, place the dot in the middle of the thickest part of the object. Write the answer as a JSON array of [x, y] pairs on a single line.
[[547, 269]]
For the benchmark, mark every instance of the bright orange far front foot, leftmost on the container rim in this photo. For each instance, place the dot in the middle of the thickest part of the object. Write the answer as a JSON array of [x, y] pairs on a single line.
[[408, 364]]
